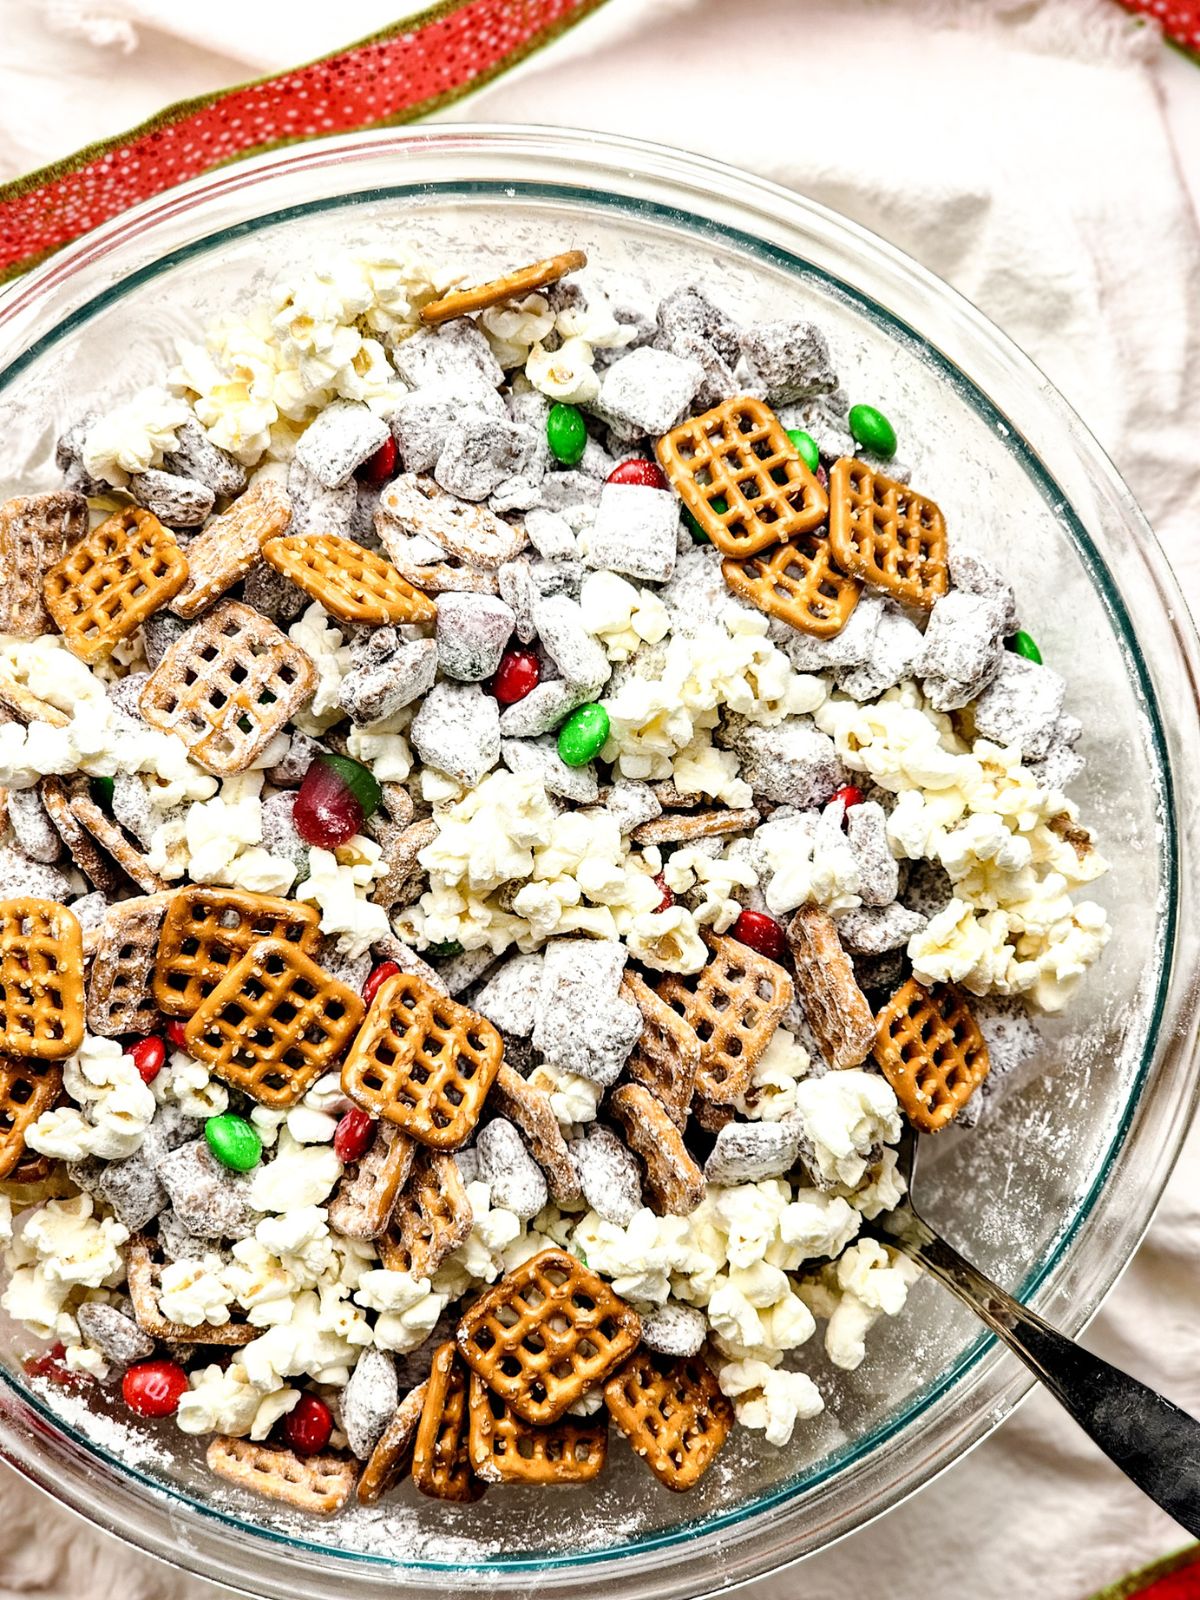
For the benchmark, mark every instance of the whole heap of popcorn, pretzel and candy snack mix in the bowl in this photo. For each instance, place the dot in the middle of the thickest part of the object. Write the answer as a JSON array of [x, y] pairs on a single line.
[[511, 801]]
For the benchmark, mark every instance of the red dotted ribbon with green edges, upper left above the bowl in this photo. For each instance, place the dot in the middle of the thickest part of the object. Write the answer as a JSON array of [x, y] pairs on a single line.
[[407, 71]]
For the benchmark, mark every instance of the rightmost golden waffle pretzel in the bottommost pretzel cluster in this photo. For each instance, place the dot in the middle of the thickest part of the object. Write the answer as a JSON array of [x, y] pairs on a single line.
[[673, 1414]]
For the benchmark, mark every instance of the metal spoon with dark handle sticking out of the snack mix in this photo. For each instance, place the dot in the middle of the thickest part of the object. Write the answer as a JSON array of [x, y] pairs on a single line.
[[1151, 1441]]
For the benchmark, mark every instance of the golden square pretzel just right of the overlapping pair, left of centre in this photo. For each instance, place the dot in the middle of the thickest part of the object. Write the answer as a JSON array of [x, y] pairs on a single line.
[[423, 1062]]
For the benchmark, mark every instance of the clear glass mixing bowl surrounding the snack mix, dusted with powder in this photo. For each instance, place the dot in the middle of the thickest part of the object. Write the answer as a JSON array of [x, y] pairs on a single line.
[[1054, 1194]]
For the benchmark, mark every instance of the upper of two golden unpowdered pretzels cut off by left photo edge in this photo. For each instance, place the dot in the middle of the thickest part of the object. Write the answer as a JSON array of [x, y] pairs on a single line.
[[41, 980]]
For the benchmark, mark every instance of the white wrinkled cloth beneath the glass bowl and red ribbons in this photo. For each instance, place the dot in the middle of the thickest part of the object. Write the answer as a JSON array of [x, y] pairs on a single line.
[[1020, 150]]
